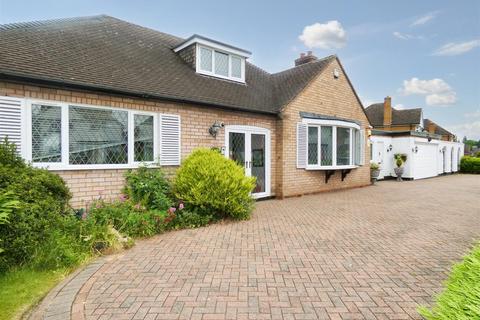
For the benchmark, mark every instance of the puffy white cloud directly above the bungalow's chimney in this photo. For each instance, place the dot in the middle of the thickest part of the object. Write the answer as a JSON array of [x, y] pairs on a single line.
[[330, 35]]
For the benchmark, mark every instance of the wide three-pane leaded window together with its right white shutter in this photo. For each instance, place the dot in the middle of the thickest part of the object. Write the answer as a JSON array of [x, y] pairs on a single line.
[[62, 136]]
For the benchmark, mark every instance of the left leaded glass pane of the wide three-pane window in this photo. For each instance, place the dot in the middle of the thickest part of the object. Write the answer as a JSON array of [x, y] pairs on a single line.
[[46, 133]]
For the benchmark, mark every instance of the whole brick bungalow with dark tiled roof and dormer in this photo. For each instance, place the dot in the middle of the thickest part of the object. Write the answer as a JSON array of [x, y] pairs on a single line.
[[92, 97]]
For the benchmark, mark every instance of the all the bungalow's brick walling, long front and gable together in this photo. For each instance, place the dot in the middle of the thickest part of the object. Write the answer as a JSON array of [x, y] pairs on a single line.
[[324, 95]]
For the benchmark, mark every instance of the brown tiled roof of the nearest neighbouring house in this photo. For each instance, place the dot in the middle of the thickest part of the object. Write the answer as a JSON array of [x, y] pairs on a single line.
[[407, 116]]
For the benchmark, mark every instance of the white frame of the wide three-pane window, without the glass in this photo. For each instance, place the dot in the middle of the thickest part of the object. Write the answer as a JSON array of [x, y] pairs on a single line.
[[64, 164]]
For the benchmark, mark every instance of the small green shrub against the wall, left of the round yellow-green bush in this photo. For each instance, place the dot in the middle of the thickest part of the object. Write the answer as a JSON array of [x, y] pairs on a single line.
[[149, 187]]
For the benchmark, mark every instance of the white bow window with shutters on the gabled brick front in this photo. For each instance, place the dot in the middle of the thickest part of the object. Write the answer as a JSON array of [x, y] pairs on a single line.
[[329, 145]]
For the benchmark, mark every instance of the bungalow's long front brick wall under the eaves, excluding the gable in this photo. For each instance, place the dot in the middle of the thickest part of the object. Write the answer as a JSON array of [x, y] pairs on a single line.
[[87, 185]]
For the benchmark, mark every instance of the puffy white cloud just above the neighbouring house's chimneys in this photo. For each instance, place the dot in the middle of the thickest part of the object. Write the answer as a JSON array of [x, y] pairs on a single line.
[[436, 91]]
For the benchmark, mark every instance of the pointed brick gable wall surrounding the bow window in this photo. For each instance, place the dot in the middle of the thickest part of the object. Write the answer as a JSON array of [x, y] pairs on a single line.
[[328, 96]]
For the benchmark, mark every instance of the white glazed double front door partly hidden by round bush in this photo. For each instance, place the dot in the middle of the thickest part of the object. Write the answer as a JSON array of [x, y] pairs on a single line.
[[250, 148]]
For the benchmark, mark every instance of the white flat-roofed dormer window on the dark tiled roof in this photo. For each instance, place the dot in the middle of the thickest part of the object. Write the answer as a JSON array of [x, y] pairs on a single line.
[[216, 59]]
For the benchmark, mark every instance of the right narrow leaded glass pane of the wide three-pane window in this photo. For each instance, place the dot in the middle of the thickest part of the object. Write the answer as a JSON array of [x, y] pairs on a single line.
[[143, 138]]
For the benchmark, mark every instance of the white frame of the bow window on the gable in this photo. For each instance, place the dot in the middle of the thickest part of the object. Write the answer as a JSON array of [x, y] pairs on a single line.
[[334, 124]]
